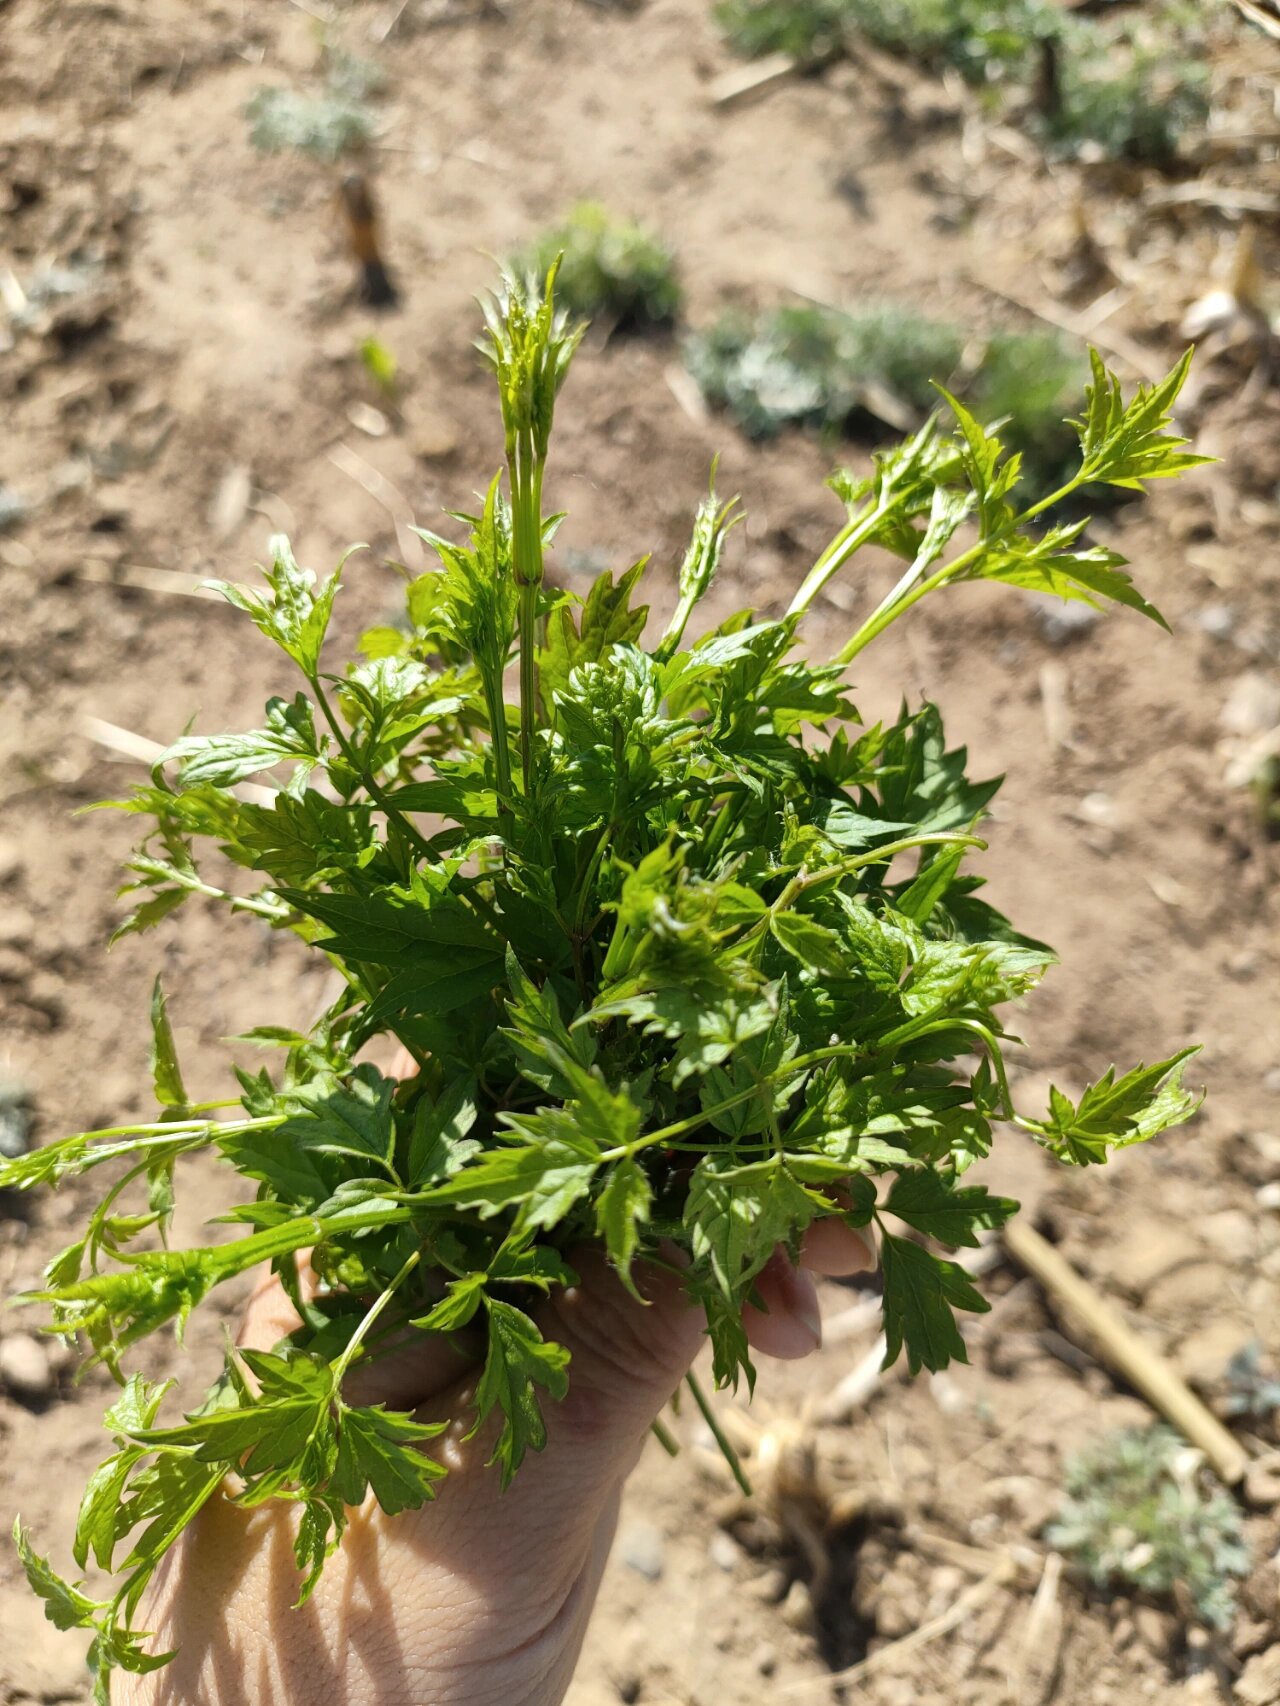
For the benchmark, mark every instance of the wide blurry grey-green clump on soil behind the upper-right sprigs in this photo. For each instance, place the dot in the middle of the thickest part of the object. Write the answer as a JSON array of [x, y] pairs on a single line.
[[847, 373]]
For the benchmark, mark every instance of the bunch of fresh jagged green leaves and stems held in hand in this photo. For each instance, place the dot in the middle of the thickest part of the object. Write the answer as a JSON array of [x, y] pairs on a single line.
[[685, 953]]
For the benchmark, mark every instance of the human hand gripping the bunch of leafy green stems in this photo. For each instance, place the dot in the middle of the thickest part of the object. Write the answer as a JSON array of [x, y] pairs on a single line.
[[482, 1598]]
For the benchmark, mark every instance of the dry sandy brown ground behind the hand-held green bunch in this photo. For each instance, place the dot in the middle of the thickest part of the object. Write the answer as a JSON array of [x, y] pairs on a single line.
[[218, 352]]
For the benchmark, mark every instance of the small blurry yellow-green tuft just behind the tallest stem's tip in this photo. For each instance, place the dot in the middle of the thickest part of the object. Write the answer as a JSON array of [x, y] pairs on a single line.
[[610, 269]]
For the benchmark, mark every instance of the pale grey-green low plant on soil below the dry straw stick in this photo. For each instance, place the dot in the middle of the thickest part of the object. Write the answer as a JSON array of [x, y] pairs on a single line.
[[1141, 1517]]
